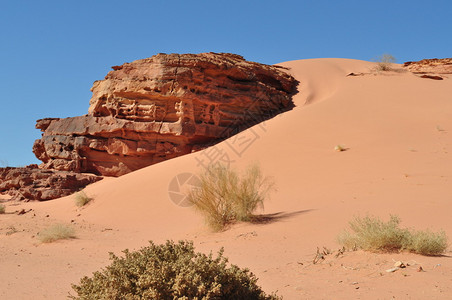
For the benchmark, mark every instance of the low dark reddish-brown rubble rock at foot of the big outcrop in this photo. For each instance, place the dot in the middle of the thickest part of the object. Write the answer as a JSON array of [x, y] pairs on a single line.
[[33, 183]]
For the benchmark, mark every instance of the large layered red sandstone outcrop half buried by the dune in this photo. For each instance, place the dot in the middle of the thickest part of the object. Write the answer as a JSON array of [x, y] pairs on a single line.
[[162, 107]]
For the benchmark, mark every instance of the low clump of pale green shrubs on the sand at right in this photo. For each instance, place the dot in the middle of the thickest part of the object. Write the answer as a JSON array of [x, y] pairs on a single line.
[[370, 233]]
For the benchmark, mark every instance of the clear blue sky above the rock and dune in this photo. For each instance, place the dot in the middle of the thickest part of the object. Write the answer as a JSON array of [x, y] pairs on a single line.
[[53, 50]]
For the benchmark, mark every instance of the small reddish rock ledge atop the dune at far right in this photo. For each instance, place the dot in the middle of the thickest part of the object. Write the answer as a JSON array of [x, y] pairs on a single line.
[[430, 67]]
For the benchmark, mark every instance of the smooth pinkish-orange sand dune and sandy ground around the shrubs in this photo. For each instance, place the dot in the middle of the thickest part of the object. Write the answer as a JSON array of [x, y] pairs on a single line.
[[397, 128]]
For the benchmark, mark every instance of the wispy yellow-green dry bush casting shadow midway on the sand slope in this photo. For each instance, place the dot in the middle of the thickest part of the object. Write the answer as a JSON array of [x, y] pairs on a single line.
[[224, 196]]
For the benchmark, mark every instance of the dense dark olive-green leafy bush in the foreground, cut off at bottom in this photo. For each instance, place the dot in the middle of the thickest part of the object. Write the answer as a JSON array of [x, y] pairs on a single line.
[[170, 271]]
